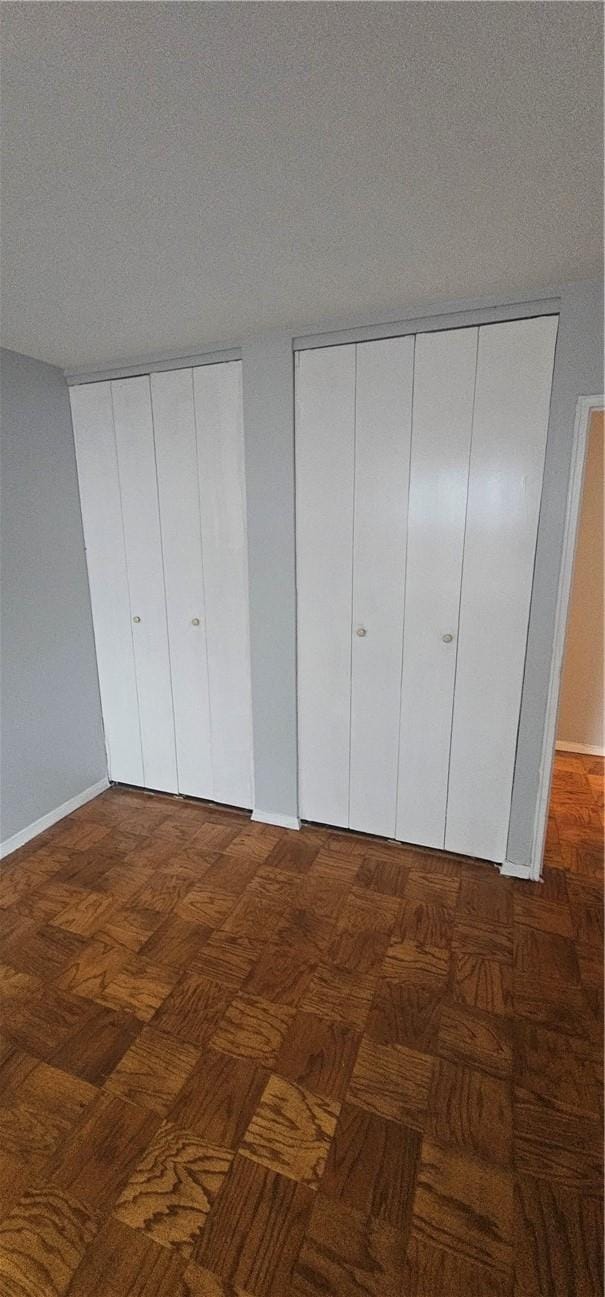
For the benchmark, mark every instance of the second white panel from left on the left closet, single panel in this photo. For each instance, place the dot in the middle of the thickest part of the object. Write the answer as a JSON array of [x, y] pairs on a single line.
[[137, 466]]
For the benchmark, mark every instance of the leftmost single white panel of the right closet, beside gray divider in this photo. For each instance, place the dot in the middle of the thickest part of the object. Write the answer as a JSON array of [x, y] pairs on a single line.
[[325, 460]]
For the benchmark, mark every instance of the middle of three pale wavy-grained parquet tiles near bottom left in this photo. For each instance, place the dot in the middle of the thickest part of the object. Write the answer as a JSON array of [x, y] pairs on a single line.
[[171, 1193]]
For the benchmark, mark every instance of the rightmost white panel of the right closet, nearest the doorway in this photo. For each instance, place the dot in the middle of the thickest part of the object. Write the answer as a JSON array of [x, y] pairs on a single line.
[[510, 435]]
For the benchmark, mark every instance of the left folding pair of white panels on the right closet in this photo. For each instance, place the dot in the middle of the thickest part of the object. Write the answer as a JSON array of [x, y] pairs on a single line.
[[354, 407]]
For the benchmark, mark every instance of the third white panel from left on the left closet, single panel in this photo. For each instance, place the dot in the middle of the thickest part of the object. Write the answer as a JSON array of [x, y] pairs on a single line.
[[180, 510]]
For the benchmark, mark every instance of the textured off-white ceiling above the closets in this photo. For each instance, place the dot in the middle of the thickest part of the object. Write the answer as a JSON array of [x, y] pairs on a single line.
[[184, 174]]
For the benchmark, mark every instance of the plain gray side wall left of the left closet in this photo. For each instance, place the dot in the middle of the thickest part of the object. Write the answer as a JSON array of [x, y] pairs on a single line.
[[51, 735]]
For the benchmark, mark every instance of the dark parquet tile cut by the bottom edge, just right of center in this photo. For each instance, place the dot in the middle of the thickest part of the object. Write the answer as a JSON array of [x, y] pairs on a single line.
[[349, 1255]]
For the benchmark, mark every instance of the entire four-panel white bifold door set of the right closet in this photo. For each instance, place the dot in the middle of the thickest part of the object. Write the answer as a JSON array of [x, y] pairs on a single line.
[[419, 484]]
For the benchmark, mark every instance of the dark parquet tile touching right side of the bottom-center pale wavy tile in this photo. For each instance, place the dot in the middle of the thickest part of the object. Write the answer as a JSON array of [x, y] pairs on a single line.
[[372, 1167]]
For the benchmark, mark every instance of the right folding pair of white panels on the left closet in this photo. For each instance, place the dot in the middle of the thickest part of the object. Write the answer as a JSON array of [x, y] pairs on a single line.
[[201, 470]]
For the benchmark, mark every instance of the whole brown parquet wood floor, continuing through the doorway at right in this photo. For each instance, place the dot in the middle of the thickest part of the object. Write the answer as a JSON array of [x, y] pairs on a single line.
[[243, 1063]]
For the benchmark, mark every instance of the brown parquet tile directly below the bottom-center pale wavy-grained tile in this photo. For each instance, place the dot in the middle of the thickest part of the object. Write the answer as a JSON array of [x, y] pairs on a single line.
[[256, 1229]]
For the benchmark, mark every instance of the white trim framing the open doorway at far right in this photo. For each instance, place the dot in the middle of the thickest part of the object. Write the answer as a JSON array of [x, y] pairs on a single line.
[[584, 414]]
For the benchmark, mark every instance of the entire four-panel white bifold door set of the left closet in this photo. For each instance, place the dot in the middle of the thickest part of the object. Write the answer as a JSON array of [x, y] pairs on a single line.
[[160, 465]]
